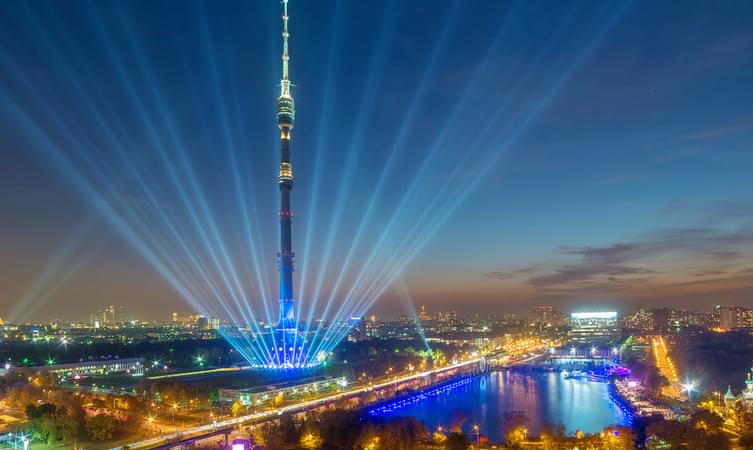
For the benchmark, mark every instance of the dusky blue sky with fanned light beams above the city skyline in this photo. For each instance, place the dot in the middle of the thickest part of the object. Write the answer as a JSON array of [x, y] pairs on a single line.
[[477, 156]]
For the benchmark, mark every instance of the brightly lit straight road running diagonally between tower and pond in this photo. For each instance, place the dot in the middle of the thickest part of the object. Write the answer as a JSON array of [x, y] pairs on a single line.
[[297, 407]]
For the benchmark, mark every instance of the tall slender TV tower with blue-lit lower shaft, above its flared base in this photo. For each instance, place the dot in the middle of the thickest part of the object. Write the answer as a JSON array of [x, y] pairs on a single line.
[[285, 118]]
